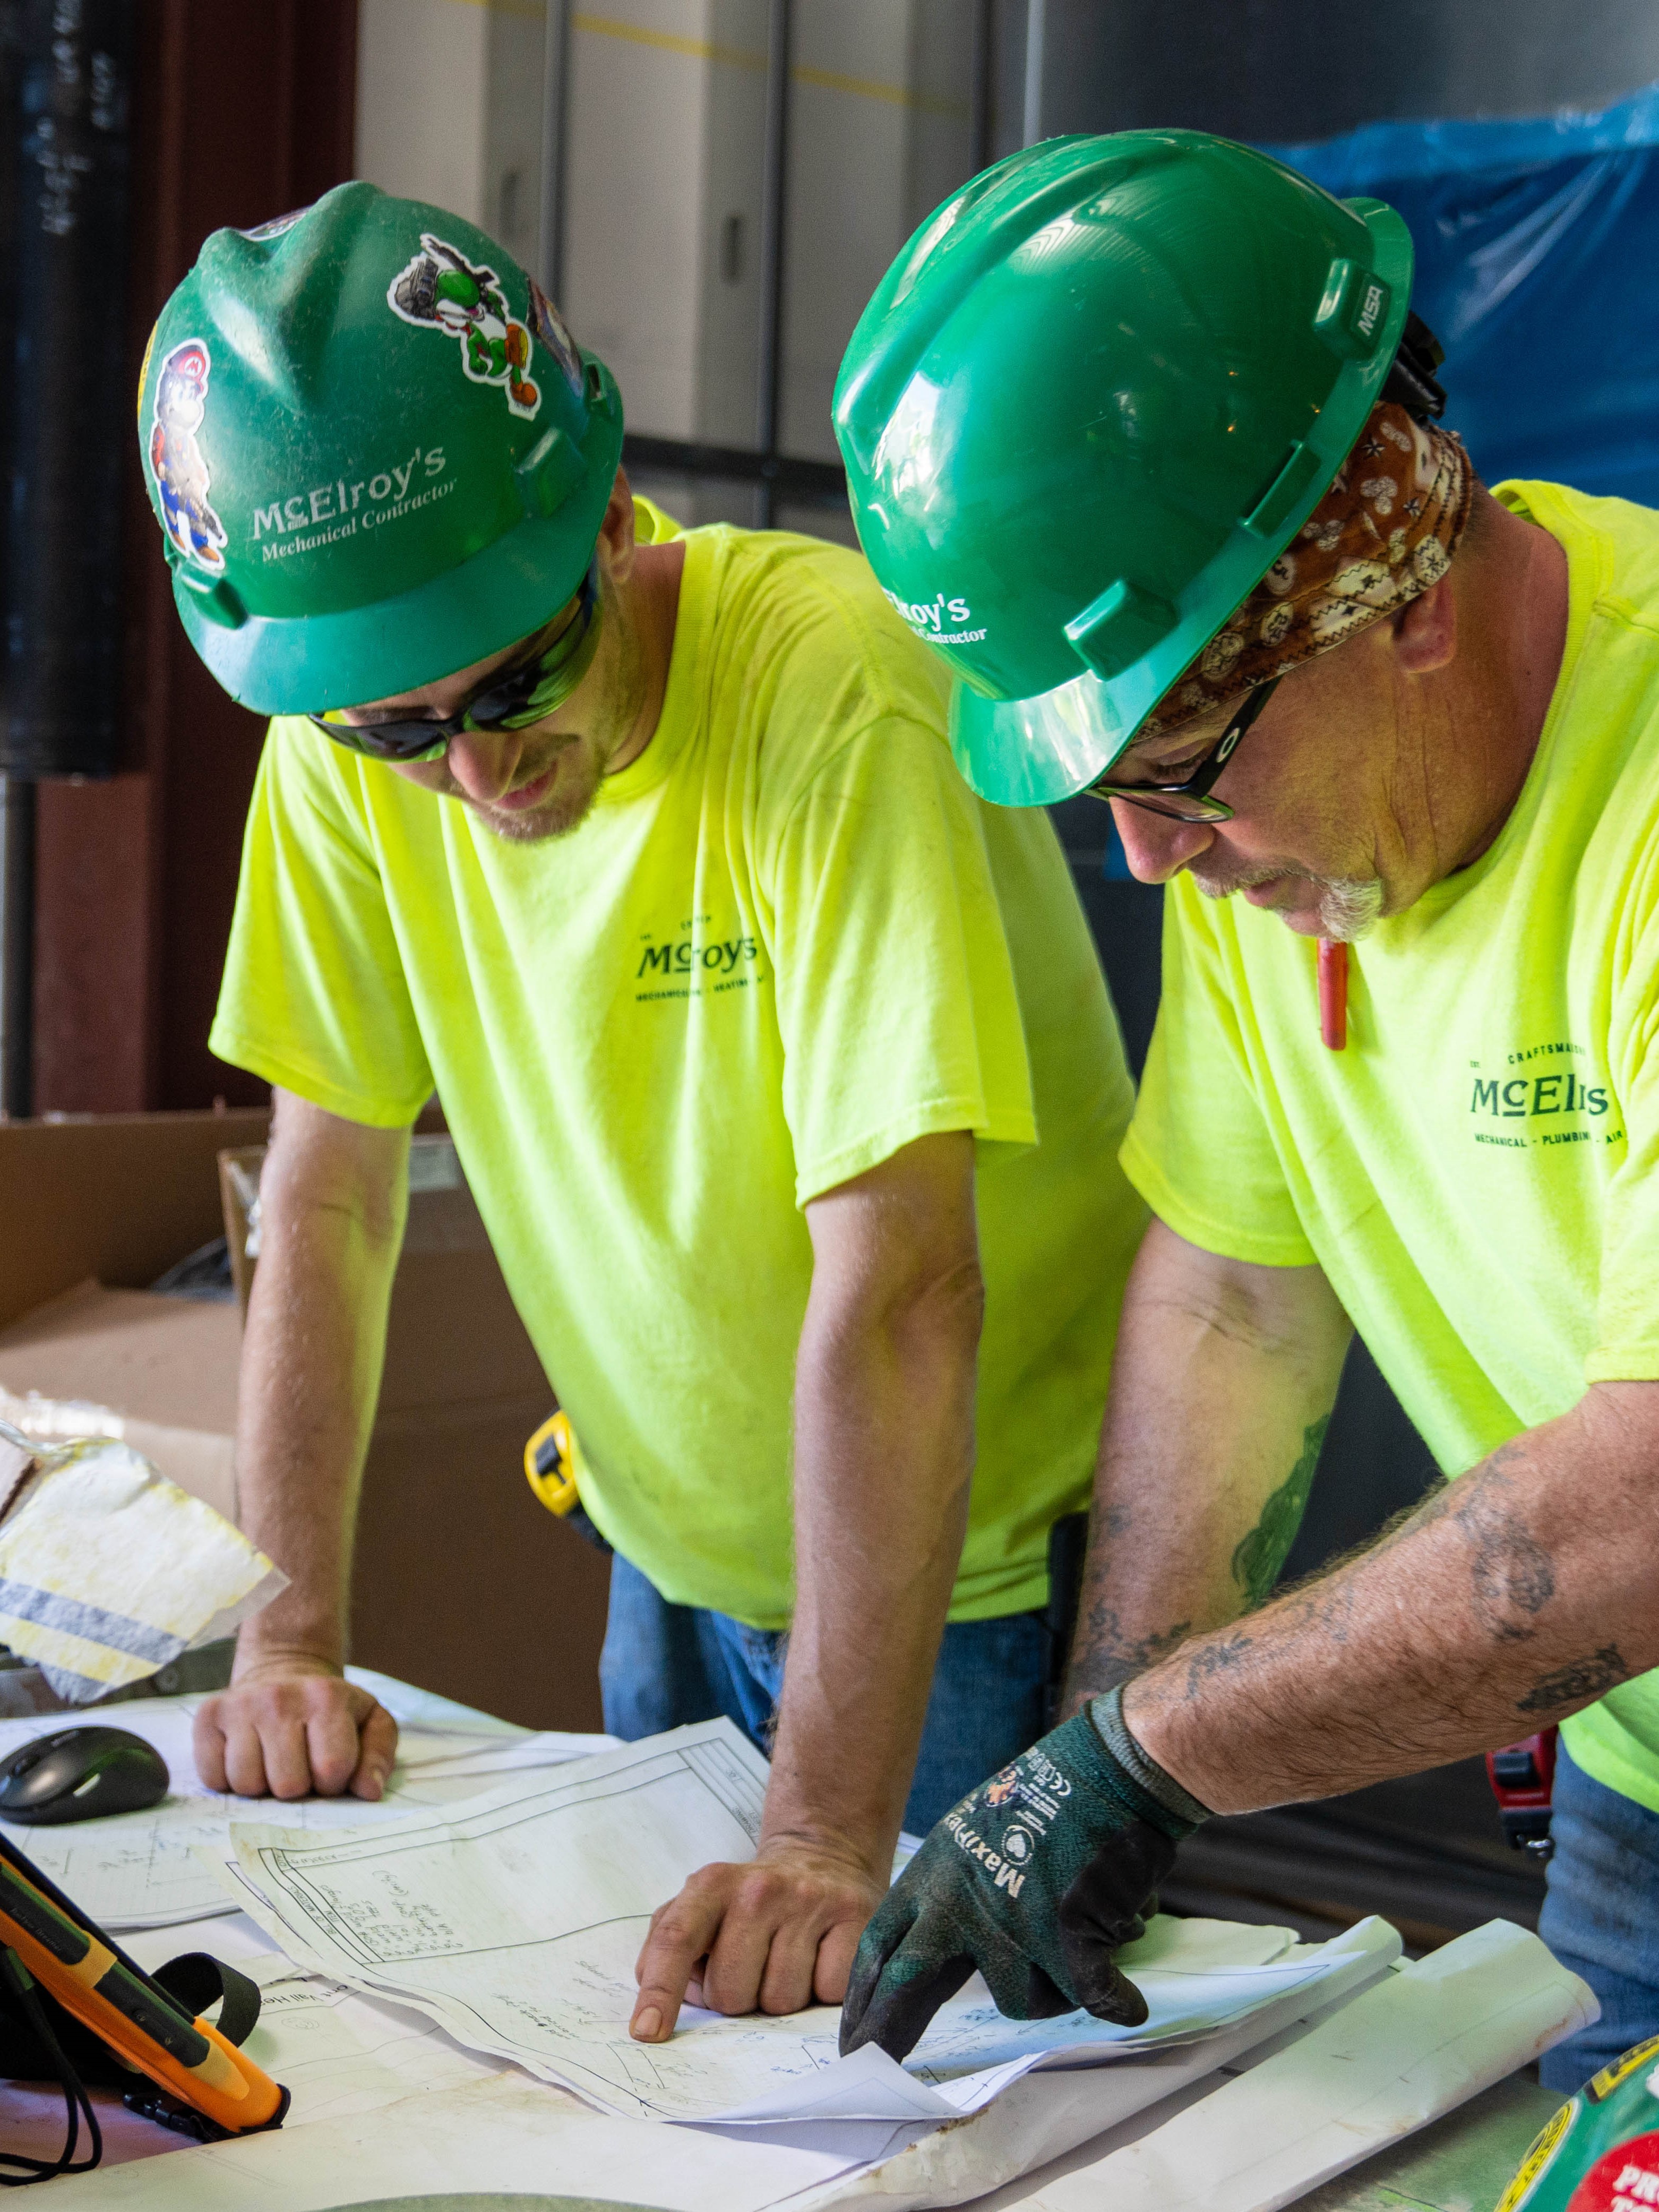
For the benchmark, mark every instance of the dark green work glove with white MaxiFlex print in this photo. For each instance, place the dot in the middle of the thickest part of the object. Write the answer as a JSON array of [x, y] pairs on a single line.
[[1036, 1879]]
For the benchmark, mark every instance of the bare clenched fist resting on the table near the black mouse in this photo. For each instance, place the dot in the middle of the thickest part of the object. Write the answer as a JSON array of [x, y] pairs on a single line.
[[295, 1726]]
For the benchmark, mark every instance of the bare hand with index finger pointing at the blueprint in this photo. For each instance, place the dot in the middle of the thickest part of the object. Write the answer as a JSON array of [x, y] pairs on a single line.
[[773, 1937]]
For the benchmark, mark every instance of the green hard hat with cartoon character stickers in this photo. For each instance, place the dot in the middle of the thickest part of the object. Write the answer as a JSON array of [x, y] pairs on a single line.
[[373, 448]]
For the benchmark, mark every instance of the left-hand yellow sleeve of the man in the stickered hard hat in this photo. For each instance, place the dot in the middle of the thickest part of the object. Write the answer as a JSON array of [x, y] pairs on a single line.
[[313, 997]]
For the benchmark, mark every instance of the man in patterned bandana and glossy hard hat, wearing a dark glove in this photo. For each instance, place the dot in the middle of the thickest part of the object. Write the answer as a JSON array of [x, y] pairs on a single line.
[[1154, 415]]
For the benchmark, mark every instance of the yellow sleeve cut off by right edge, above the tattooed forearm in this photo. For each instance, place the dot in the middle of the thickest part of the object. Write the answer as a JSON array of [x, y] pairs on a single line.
[[1627, 1348]]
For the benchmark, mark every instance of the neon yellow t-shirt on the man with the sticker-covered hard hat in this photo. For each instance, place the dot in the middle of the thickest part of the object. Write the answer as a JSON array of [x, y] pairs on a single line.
[[784, 943]]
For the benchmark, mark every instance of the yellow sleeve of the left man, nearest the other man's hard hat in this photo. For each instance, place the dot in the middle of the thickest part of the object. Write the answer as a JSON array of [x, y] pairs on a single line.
[[895, 983]]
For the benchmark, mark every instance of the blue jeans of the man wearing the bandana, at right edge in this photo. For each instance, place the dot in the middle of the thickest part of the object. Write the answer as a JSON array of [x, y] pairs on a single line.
[[1603, 1919]]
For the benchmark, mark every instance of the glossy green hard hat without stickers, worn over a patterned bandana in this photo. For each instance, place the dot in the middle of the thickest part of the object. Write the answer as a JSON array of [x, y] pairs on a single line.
[[1085, 413]]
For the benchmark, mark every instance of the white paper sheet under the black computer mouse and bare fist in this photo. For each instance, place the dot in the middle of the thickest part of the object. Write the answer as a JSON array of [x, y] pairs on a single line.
[[145, 1868]]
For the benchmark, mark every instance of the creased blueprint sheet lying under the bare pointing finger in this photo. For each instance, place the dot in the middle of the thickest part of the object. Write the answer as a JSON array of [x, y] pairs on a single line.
[[517, 1921]]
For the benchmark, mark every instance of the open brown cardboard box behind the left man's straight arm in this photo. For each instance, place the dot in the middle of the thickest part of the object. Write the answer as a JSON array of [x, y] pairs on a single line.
[[463, 1580]]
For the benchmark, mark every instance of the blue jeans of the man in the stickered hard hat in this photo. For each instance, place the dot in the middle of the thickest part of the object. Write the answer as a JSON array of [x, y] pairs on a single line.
[[665, 1667]]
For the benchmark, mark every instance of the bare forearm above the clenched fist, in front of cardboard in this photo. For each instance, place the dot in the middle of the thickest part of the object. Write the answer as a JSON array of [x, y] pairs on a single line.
[[311, 1377]]
